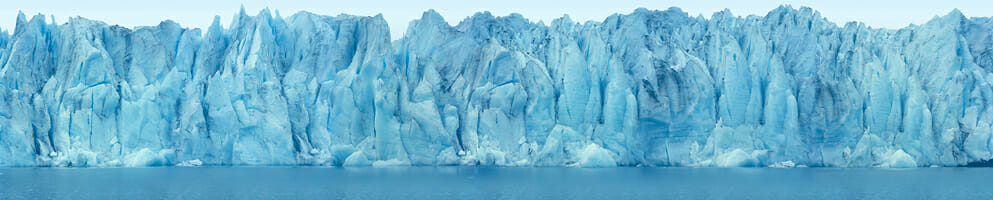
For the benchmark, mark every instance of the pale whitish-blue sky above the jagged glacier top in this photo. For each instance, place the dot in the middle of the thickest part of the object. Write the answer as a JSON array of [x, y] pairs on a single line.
[[398, 13]]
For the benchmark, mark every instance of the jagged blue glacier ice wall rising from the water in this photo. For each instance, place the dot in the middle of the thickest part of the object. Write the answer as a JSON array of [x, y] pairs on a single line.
[[649, 88]]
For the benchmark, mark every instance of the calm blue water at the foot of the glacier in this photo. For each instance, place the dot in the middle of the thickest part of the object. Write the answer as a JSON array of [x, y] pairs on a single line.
[[494, 183]]
